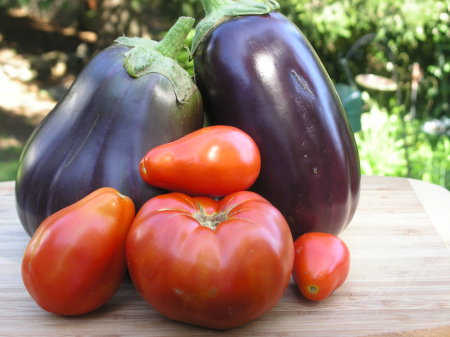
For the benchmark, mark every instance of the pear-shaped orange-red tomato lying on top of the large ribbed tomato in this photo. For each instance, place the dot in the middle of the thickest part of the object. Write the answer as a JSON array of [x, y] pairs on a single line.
[[215, 161]]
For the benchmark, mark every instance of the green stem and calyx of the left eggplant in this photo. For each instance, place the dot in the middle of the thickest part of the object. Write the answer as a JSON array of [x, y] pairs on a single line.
[[147, 56]]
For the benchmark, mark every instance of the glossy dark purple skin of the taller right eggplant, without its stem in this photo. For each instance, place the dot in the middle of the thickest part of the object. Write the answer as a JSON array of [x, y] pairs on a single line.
[[260, 74]]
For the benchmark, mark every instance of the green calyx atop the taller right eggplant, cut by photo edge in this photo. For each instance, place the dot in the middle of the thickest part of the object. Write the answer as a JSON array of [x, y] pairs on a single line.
[[218, 11]]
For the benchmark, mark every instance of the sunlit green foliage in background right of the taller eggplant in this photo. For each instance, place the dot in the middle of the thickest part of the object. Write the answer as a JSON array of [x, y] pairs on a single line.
[[390, 142]]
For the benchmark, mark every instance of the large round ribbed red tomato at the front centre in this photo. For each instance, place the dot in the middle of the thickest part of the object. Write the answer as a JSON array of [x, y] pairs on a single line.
[[217, 264]]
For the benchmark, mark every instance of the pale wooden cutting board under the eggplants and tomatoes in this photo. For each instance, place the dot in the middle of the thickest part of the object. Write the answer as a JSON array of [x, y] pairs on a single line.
[[399, 280]]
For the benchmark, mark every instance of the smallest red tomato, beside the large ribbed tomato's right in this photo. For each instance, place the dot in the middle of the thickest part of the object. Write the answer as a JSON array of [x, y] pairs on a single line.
[[321, 264]]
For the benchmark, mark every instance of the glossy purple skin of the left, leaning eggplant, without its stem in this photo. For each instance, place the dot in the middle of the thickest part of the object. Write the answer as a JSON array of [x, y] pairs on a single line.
[[97, 135]]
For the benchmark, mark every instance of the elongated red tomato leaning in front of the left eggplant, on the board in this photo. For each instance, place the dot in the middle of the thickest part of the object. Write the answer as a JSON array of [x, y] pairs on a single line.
[[75, 261]]
